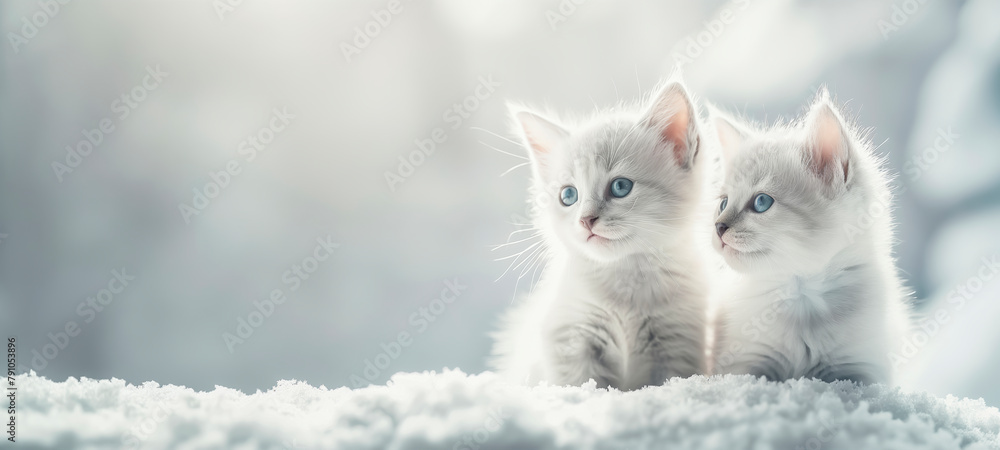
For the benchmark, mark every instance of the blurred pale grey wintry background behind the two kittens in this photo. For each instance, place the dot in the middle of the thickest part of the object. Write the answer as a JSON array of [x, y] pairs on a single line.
[[910, 70]]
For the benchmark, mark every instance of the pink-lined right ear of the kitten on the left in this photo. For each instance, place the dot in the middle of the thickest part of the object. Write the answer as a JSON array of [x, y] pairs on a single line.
[[673, 116]]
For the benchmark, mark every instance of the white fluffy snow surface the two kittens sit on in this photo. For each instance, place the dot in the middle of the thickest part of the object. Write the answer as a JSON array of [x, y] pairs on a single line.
[[452, 410]]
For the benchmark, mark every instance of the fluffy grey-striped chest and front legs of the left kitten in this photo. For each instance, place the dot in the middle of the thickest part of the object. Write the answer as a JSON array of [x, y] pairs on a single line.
[[633, 327]]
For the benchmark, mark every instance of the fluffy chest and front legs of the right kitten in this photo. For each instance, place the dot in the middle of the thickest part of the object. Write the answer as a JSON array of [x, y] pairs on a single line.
[[827, 326]]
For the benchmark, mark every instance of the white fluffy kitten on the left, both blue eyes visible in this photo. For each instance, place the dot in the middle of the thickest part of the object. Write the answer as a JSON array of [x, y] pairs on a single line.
[[621, 299]]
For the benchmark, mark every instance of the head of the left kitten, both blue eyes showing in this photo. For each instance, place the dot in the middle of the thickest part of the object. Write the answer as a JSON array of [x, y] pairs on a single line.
[[617, 184]]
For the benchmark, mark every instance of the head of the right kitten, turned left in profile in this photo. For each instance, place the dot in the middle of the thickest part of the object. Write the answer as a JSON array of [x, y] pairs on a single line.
[[789, 193]]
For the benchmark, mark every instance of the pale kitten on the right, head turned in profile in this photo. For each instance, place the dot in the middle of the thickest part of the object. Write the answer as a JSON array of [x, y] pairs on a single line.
[[803, 220]]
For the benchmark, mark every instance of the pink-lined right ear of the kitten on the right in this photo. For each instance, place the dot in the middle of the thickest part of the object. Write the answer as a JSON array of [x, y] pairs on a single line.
[[827, 143]]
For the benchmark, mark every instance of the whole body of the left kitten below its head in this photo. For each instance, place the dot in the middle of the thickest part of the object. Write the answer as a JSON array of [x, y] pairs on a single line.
[[582, 322]]
